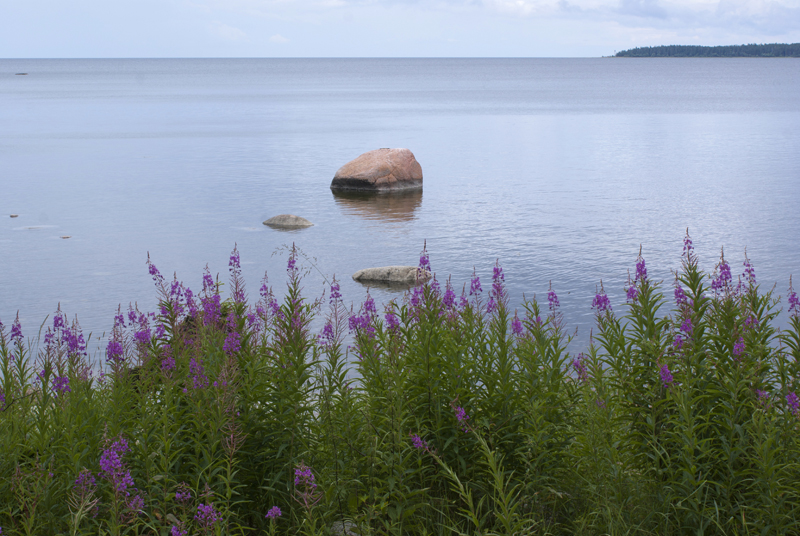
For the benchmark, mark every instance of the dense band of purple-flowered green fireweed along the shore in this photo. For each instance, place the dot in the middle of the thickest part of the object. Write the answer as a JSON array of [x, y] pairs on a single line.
[[442, 413]]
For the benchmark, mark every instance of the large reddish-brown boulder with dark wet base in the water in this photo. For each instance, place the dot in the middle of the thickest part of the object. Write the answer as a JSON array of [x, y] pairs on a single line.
[[381, 170]]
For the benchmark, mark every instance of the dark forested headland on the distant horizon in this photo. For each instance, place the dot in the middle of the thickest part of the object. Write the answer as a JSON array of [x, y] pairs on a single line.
[[775, 50]]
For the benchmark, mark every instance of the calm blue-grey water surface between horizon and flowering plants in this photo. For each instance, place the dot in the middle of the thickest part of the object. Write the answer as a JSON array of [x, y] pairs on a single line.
[[559, 168]]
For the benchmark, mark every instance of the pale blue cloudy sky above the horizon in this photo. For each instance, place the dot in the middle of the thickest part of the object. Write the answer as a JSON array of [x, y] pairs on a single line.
[[382, 28]]
